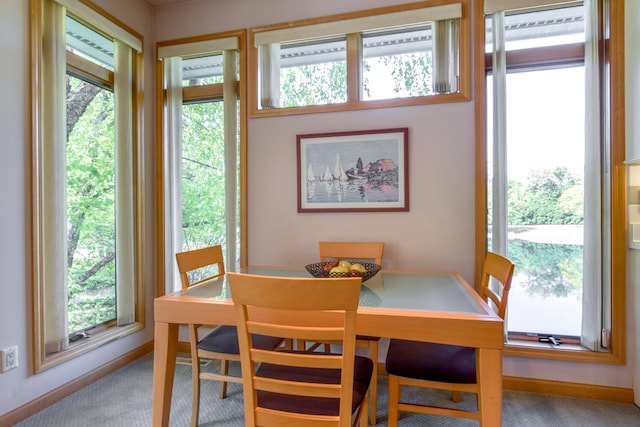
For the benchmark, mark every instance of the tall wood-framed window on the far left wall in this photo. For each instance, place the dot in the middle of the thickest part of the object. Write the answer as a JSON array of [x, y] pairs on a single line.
[[84, 174]]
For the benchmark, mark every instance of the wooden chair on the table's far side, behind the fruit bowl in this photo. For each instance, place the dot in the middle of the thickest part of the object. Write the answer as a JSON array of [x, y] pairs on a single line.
[[370, 251]]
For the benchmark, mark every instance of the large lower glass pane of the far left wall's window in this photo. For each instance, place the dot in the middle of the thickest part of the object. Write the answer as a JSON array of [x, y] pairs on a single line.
[[90, 204]]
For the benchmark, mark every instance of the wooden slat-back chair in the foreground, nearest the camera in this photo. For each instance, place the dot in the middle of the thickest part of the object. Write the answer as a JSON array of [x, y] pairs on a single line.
[[299, 388]]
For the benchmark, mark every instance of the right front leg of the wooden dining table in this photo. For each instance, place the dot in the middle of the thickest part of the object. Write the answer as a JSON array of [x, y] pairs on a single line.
[[489, 368]]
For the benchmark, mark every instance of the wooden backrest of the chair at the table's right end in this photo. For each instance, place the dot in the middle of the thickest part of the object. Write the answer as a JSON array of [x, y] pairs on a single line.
[[501, 269]]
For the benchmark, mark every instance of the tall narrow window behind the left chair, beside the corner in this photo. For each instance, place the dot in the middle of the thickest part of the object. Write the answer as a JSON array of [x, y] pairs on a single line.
[[201, 139]]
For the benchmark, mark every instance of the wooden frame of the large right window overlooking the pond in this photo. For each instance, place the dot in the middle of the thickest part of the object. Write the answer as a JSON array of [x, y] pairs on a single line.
[[615, 58]]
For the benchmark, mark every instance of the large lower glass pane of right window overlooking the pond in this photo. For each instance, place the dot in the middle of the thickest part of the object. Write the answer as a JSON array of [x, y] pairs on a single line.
[[545, 158]]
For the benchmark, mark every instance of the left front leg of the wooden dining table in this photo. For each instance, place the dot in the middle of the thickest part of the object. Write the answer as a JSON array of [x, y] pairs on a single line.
[[164, 364]]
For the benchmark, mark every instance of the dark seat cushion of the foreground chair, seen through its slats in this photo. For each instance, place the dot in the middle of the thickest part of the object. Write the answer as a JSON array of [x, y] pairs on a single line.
[[363, 369]]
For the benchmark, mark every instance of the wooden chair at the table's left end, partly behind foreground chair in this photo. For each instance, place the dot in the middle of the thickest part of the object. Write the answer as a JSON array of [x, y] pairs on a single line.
[[221, 343]]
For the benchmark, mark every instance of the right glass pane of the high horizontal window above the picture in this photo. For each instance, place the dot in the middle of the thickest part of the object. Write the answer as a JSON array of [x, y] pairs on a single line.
[[397, 64]]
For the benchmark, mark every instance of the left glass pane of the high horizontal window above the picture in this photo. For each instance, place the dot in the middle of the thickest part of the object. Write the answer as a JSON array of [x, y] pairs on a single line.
[[313, 73]]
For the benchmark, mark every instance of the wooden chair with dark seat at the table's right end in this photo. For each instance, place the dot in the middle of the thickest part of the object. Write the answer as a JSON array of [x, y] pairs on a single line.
[[442, 366]]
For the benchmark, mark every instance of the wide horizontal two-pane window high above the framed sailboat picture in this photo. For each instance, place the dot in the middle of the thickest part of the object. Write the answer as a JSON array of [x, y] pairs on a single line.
[[402, 55]]
